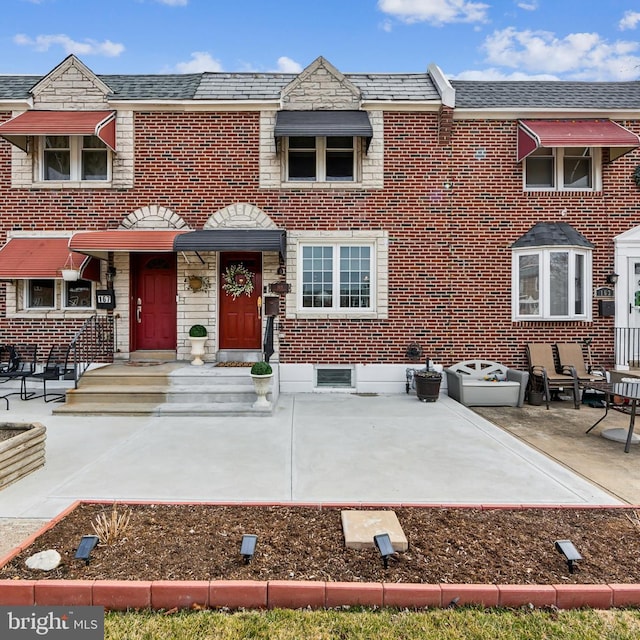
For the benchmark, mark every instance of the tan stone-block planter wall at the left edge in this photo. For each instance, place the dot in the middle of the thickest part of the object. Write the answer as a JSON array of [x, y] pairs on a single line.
[[21, 453]]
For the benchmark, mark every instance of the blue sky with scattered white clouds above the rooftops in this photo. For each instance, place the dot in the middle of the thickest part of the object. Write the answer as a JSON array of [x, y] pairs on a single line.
[[593, 40]]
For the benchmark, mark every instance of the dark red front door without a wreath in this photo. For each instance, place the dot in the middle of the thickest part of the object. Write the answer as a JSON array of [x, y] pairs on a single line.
[[153, 304]]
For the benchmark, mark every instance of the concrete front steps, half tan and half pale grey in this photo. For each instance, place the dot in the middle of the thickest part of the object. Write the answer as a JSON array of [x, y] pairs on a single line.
[[172, 388]]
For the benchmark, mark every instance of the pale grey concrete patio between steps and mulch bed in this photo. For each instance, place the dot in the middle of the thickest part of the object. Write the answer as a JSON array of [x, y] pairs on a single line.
[[315, 448]]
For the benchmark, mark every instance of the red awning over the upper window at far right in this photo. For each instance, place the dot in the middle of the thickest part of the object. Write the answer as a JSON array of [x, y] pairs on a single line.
[[533, 134]]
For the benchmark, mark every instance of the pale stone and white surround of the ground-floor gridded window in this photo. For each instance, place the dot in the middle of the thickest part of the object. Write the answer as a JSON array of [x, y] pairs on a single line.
[[378, 239]]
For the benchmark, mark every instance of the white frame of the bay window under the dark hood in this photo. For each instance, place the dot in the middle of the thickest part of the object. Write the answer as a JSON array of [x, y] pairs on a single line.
[[545, 304]]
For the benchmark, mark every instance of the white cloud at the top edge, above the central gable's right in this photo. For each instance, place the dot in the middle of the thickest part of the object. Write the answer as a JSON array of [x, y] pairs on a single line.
[[436, 12]]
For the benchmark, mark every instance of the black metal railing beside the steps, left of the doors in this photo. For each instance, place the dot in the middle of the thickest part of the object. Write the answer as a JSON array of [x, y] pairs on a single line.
[[94, 342]]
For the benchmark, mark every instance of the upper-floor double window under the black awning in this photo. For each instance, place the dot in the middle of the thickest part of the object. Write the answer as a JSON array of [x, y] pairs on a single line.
[[321, 159]]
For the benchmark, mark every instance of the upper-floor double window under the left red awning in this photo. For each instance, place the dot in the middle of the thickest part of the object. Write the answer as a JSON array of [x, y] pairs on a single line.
[[74, 158]]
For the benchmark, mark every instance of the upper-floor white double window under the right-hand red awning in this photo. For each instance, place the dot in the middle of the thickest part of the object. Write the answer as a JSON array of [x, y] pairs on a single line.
[[562, 168]]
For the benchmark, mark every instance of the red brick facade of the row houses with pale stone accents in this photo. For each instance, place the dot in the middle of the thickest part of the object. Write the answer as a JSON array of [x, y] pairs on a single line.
[[441, 197]]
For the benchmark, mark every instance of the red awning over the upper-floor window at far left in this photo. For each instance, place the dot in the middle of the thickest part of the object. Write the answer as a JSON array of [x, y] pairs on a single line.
[[60, 123]]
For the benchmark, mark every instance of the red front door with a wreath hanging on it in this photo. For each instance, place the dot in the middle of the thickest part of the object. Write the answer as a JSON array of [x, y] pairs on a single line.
[[240, 300]]
